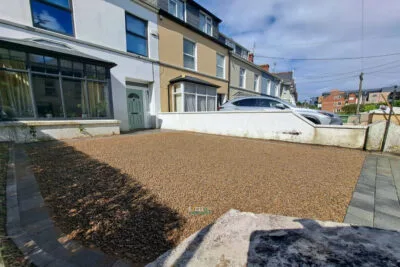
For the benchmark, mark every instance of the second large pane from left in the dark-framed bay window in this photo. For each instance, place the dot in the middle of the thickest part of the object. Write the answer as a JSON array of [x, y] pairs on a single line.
[[47, 96]]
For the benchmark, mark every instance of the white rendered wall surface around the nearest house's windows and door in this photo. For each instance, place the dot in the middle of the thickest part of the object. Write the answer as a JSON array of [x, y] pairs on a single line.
[[100, 32]]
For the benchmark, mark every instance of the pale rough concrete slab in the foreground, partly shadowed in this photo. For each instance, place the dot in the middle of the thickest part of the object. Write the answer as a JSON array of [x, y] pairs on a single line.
[[247, 239]]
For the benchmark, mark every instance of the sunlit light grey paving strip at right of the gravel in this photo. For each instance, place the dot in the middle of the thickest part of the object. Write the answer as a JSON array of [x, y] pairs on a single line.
[[376, 198]]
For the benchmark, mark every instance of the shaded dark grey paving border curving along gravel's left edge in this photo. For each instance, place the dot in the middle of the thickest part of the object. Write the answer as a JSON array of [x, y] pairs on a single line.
[[30, 226]]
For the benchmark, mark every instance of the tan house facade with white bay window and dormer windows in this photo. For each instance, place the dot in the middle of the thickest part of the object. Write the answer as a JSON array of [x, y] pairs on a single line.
[[194, 64]]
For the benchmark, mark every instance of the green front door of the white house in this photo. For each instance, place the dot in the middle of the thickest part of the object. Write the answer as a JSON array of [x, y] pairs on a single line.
[[135, 109]]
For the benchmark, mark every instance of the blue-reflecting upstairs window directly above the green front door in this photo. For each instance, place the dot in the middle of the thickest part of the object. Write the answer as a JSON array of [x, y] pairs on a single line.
[[136, 35]]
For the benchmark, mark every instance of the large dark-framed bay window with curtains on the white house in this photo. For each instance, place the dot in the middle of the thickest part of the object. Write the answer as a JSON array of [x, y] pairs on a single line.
[[42, 86]]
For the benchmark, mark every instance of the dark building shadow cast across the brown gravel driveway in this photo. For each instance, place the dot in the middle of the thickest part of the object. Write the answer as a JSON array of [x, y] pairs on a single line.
[[98, 205]]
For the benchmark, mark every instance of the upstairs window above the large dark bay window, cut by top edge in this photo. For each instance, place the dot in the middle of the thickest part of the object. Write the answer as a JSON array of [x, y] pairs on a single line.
[[53, 15]]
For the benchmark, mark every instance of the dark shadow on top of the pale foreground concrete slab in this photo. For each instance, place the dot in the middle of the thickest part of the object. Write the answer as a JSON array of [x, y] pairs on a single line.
[[315, 245]]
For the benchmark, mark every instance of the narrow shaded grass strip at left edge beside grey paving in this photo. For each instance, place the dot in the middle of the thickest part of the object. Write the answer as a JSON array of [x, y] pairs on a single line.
[[10, 255]]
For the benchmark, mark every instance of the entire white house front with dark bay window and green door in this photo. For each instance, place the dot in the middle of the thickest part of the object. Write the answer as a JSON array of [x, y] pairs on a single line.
[[60, 62]]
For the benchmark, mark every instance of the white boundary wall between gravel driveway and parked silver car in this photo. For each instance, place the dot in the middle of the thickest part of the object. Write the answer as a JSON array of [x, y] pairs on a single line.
[[271, 125]]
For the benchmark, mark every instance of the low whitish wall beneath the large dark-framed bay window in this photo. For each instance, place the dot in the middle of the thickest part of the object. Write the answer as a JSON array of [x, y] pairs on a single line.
[[33, 131]]
